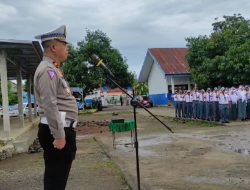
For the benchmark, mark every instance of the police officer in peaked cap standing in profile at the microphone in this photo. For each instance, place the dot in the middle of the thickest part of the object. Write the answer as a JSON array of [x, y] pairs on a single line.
[[58, 111]]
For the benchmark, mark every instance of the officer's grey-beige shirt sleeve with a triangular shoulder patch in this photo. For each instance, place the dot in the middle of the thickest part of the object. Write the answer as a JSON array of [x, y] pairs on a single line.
[[48, 84]]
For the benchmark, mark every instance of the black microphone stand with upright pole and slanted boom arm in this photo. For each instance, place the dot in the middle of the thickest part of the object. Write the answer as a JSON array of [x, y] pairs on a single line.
[[135, 103]]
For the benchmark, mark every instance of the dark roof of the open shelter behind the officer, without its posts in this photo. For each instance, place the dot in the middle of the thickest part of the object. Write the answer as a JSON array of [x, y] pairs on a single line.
[[27, 54]]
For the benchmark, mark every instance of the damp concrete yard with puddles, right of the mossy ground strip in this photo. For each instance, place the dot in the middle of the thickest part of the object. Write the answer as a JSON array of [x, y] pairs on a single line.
[[198, 156]]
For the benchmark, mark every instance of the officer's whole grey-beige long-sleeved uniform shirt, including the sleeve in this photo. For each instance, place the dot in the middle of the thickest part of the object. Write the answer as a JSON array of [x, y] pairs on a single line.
[[53, 96]]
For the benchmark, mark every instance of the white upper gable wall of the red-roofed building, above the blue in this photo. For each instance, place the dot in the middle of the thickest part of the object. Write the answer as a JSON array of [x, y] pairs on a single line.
[[156, 81]]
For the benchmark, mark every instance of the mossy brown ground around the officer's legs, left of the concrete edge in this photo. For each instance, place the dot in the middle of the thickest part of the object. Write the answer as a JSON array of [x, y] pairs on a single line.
[[92, 169]]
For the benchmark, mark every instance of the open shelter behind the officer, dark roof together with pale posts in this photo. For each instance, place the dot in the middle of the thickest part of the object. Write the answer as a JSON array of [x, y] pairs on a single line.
[[18, 60]]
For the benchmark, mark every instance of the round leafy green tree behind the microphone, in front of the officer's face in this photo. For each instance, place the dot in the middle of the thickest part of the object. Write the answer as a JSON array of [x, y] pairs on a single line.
[[78, 74]]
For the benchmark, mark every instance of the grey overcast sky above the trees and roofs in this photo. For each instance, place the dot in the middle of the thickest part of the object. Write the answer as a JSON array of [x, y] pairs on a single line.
[[132, 25]]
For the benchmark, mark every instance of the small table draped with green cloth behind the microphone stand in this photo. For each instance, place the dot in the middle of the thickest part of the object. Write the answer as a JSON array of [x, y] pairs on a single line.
[[118, 127]]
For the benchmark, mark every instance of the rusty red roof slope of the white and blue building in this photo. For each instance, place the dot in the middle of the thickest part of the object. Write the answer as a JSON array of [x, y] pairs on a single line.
[[171, 60]]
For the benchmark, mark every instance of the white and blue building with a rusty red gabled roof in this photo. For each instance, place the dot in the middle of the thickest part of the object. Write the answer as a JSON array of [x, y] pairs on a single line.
[[165, 70]]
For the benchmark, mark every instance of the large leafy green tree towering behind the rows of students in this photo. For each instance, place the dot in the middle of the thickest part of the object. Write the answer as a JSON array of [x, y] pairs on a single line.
[[223, 58]]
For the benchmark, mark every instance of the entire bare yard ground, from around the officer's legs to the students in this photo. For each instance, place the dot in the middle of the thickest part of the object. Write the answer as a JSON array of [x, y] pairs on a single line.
[[198, 156]]
